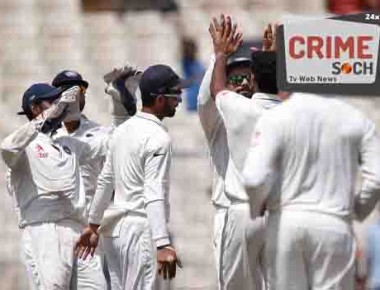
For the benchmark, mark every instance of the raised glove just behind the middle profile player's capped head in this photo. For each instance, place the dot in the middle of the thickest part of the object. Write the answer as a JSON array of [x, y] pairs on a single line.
[[121, 85]]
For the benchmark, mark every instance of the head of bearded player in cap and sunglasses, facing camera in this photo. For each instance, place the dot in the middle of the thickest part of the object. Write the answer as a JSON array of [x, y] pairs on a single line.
[[239, 74]]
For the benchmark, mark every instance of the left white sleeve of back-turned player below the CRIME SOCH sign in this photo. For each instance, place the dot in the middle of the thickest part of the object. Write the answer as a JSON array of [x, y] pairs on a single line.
[[261, 167]]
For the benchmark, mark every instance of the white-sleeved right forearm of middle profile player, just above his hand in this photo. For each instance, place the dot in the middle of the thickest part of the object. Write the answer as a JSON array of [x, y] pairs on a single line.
[[156, 212]]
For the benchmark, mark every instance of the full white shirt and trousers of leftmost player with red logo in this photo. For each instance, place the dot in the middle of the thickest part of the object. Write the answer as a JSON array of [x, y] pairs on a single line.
[[44, 179]]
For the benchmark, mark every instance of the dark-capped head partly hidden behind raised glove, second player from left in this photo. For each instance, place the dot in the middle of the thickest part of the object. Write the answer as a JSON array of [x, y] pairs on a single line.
[[67, 79]]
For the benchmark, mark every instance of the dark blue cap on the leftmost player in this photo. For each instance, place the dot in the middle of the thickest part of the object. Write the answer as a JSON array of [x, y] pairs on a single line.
[[38, 92]]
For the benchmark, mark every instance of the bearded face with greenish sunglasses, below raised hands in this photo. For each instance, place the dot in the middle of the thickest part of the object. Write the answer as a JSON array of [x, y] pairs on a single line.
[[240, 80]]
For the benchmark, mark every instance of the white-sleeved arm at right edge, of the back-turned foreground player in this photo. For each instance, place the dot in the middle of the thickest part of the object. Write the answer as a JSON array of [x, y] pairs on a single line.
[[369, 194]]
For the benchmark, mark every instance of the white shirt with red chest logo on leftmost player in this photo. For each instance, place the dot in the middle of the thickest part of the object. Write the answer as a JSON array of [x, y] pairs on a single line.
[[44, 173]]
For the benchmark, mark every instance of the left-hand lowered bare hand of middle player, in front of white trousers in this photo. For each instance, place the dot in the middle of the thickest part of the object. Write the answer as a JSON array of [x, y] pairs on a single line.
[[87, 242]]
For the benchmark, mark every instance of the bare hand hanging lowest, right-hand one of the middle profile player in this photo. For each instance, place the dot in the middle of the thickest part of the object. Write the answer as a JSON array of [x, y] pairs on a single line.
[[167, 262]]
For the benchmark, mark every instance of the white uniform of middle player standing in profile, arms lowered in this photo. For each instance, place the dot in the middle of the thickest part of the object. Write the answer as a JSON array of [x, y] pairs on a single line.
[[137, 166]]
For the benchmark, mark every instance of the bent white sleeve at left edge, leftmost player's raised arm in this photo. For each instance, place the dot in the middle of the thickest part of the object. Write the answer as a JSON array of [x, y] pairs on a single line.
[[14, 145]]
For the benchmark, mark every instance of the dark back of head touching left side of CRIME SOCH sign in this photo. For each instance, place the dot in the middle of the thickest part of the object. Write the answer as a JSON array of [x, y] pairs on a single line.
[[264, 70]]
